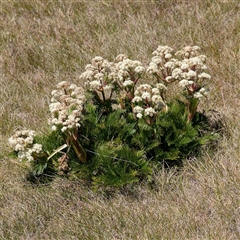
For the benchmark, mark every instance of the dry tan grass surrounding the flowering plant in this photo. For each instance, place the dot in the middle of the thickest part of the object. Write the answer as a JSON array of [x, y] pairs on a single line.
[[45, 42]]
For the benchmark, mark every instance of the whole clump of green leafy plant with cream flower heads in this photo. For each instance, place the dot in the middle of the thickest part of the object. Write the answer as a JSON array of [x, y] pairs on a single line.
[[122, 123]]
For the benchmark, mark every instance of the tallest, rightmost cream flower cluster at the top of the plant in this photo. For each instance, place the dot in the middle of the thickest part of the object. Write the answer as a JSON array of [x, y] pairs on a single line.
[[186, 66]]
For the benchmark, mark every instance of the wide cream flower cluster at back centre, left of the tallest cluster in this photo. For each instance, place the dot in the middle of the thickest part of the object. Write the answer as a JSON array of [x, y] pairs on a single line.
[[103, 77]]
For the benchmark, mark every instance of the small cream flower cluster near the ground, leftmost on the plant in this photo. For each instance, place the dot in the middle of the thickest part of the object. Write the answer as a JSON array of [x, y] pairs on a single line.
[[23, 143]]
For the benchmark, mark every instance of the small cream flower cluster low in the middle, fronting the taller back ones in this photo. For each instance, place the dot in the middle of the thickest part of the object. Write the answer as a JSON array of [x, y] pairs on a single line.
[[147, 100]]
